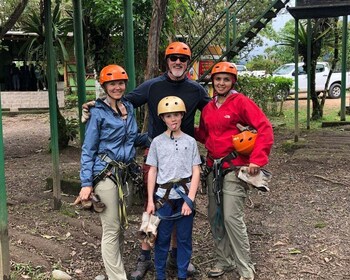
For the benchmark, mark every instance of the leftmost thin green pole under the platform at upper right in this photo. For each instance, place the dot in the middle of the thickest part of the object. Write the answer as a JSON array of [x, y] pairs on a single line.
[[296, 99]]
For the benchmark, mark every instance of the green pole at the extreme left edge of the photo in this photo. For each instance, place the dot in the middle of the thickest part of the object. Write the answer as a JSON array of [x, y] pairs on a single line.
[[4, 241]]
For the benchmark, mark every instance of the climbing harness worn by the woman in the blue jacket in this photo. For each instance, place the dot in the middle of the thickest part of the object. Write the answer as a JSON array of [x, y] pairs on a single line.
[[117, 172]]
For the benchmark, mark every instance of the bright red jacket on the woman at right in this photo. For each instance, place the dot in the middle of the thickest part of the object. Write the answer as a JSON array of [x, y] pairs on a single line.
[[217, 125]]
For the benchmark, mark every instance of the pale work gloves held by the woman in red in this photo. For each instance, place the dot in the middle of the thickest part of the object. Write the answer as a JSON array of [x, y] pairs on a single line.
[[259, 181]]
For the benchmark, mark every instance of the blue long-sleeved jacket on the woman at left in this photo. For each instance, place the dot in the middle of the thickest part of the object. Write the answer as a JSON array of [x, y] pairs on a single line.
[[107, 133]]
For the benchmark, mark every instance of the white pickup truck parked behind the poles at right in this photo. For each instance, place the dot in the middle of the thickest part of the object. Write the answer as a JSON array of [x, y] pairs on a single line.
[[322, 70]]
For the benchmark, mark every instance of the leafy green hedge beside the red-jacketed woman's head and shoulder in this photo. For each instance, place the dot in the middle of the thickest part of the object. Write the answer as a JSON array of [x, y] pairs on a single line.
[[264, 91]]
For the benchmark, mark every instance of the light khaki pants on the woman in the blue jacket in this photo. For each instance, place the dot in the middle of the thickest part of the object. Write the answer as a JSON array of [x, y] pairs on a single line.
[[112, 233]]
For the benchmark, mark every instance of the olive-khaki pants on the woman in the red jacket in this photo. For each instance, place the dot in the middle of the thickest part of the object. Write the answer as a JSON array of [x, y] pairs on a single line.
[[231, 241]]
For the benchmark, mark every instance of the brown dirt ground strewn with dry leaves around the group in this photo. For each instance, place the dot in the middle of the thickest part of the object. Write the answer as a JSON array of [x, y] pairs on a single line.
[[300, 230]]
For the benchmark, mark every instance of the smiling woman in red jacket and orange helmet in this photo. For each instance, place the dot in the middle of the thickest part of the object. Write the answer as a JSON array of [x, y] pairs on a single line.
[[218, 125]]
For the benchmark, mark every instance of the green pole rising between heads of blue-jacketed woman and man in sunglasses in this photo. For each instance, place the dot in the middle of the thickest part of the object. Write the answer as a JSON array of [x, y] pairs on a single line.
[[129, 44]]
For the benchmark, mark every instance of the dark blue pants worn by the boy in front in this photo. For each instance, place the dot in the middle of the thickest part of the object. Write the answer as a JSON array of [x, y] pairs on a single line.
[[183, 237]]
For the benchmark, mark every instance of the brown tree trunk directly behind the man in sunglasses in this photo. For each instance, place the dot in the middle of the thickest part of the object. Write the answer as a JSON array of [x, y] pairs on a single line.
[[152, 68]]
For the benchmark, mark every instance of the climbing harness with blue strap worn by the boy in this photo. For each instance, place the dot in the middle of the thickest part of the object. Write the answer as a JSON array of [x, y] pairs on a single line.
[[165, 199]]
